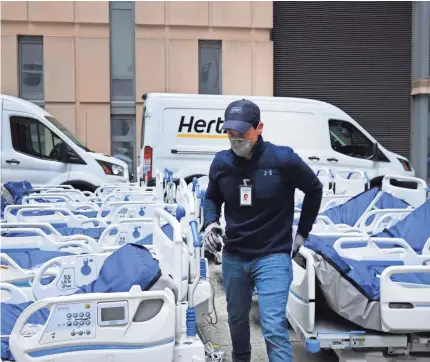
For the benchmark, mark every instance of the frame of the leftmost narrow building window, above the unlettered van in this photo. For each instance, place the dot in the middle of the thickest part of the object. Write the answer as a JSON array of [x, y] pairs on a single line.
[[30, 39]]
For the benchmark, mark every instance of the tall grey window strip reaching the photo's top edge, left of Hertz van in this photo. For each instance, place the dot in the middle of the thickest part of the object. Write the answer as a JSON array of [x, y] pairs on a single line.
[[122, 50]]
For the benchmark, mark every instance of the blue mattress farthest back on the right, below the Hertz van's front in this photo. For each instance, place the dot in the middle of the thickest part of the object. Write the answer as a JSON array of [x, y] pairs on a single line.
[[350, 212]]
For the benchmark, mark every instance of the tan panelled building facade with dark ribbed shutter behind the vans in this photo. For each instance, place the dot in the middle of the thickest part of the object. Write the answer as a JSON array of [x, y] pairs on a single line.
[[89, 63]]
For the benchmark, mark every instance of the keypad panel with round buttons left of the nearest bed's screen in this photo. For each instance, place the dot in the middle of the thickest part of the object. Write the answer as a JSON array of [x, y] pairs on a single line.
[[71, 321]]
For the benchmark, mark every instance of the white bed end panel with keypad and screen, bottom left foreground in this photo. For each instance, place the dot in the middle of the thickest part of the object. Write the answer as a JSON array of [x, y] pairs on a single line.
[[125, 327]]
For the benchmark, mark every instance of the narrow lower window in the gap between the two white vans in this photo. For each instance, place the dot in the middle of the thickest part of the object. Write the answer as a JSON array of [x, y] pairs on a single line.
[[123, 139]]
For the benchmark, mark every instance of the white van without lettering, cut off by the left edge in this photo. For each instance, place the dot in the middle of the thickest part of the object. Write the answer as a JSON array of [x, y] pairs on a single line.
[[37, 148]]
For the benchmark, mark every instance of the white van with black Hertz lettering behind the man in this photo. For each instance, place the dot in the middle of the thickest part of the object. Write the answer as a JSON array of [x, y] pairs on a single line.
[[182, 132]]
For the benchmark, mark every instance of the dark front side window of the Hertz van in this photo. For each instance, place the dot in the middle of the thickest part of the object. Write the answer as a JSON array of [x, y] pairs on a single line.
[[347, 139]]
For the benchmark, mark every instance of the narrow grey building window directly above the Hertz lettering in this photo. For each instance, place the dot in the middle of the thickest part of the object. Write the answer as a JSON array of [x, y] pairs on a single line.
[[210, 67]]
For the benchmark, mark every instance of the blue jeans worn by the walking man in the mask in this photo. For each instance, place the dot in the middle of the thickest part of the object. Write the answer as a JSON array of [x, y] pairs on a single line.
[[272, 276]]
